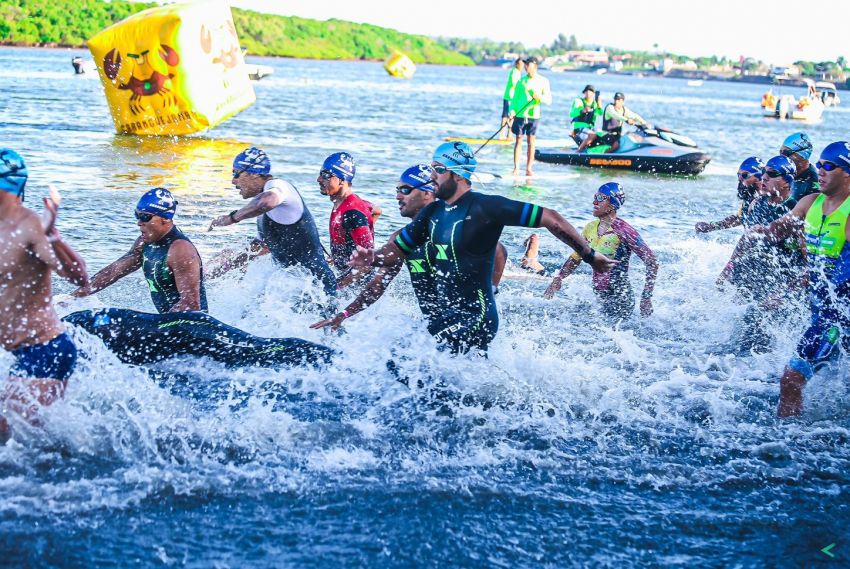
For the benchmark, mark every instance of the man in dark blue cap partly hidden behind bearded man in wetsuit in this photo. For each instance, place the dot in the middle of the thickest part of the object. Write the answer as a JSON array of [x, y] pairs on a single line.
[[414, 192]]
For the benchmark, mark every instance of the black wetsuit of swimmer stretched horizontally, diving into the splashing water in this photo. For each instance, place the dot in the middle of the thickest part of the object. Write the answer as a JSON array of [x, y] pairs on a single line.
[[140, 338]]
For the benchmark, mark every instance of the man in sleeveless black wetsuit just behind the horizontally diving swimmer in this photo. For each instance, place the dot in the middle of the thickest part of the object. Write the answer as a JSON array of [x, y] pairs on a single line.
[[169, 260]]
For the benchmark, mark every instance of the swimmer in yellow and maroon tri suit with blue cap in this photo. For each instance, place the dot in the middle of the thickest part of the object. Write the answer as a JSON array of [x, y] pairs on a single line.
[[615, 238]]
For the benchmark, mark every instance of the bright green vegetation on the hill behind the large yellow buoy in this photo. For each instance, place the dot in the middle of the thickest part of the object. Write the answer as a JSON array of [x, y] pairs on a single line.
[[73, 22]]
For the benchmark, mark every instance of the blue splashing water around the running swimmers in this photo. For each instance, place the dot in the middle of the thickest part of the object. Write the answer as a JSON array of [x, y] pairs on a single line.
[[644, 445]]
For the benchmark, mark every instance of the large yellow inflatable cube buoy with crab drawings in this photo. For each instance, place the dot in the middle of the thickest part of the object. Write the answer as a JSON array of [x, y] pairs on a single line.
[[174, 69]]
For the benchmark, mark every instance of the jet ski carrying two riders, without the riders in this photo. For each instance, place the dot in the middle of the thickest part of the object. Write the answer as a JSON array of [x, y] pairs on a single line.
[[644, 150]]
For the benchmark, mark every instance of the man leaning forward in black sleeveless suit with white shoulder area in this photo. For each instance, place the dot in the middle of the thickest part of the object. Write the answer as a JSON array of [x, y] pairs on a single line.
[[285, 227]]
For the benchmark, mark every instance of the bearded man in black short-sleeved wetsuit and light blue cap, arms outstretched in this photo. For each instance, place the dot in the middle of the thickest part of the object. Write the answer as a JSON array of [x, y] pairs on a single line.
[[462, 229]]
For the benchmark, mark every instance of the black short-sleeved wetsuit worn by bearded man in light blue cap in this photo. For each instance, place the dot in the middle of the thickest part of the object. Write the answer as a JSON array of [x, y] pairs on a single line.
[[462, 240]]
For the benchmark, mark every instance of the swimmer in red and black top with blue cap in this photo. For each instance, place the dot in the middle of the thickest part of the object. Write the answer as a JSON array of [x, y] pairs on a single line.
[[351, 222]]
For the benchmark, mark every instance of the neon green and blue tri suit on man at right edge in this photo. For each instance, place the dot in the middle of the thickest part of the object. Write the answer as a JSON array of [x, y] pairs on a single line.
[[829, 287]]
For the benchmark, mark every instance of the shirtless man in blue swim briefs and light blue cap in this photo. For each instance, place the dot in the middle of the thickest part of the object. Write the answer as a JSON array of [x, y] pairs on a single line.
[[31, 250]]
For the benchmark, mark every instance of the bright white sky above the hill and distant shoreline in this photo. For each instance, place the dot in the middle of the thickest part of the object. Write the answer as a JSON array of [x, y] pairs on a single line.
[[774, 31]]
